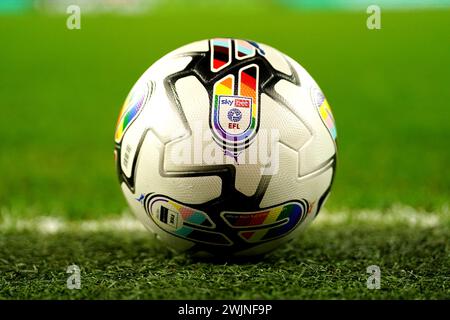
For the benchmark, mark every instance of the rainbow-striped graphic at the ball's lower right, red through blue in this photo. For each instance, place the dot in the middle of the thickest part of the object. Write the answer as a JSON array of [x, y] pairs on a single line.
[[271, 223]]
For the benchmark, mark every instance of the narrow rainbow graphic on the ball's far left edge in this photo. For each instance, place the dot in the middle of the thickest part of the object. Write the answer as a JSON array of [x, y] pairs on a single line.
[[131, 109]]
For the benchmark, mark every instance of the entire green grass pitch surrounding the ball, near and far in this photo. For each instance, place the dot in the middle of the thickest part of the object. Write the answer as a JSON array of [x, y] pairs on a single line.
[[60, 95]]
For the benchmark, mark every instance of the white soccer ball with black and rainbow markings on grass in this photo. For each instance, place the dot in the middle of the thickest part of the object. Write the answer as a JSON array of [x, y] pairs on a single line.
[[225, 147]]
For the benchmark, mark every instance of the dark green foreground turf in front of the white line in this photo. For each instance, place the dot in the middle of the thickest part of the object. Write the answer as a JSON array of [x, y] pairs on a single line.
[[327, 261]]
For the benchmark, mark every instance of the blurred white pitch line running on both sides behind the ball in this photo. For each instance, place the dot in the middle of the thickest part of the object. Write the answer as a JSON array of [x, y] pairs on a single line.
[[397, 215]]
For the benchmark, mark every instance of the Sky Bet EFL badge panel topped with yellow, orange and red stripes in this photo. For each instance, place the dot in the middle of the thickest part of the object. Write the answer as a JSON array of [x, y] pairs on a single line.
[[235, 116]]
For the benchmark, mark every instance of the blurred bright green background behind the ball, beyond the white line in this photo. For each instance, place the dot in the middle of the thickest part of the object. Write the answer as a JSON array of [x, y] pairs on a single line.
[[61, 91]]
